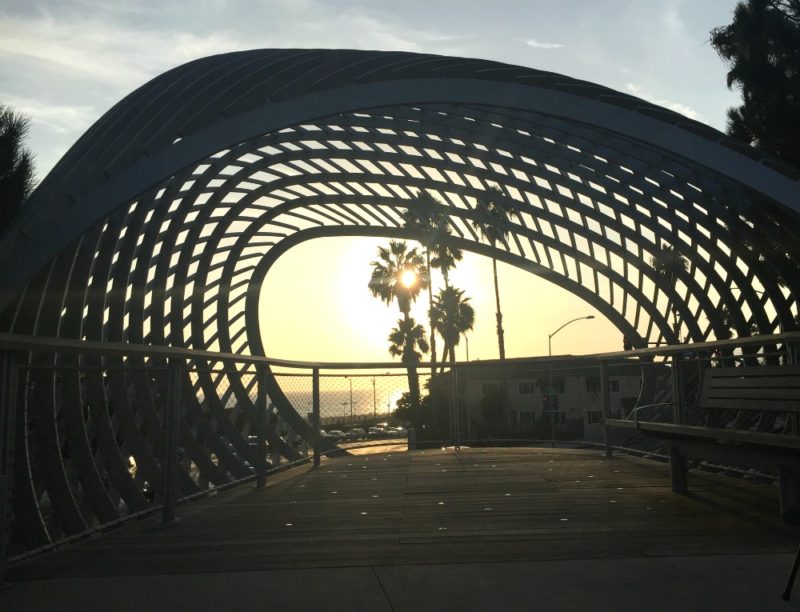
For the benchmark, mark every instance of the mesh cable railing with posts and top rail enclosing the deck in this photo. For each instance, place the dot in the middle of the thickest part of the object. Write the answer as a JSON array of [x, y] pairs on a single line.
[[94, 434]]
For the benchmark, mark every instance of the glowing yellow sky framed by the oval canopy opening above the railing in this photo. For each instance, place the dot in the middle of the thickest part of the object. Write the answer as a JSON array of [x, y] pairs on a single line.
[[315, 306]]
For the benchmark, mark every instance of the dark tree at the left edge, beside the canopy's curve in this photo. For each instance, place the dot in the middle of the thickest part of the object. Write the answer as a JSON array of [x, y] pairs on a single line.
[[16, 165]]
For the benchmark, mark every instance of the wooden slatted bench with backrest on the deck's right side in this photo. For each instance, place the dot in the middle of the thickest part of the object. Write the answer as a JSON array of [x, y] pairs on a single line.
[[752, 417]]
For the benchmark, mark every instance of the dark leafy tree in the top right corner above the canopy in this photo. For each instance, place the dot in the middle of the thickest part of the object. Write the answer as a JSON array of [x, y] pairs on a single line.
[[761, 47]]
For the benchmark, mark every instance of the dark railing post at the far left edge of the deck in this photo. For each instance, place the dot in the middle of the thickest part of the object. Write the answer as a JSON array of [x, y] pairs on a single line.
[[8, 413]]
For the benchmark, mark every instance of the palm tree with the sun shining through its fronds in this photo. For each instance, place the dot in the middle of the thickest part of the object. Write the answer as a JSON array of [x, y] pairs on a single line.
[[400, 274]]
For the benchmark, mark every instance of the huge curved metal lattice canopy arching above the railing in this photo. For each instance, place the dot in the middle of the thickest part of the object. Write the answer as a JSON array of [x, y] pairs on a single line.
[[161, 222]]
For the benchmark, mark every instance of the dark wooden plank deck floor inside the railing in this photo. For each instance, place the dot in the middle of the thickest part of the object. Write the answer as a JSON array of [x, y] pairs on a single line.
[[423, 507]]
